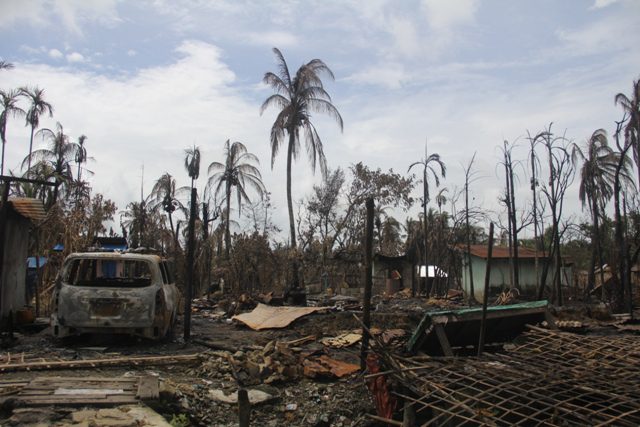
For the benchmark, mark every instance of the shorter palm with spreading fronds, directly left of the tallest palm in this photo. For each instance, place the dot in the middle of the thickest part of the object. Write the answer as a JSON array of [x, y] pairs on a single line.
[[238, 172]]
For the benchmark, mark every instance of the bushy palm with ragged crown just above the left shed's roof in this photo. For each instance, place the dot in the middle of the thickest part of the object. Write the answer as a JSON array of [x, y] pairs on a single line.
[[58, 154]]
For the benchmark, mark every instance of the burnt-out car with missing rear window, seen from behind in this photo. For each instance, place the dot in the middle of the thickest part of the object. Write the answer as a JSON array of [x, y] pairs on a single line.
[[116, 293]]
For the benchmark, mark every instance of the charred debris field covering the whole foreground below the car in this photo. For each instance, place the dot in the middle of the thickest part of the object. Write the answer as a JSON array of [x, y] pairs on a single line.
[[253, 361]]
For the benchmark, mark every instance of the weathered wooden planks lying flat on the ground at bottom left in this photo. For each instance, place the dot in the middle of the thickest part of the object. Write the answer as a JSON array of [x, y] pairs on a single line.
[[87, 391]]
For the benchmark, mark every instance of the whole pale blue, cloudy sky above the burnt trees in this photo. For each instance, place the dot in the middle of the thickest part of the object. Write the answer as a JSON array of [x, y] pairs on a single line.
[[144, 80]]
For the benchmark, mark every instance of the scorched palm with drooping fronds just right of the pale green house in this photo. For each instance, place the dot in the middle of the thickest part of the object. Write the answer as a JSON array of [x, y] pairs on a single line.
[[597, 177]]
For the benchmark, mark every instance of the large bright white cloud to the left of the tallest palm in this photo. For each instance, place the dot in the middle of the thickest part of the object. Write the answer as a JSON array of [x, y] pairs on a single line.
[[149, 118]]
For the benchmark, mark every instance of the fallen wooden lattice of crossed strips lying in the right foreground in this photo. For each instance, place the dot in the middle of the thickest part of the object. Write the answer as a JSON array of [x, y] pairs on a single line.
[[547, 378]]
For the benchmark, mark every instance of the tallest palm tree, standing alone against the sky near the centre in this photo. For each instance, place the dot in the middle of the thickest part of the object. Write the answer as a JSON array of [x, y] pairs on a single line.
[[297, 97]]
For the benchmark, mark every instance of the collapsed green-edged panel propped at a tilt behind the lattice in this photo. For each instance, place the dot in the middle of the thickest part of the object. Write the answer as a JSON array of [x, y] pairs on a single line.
[[462, 327]]
